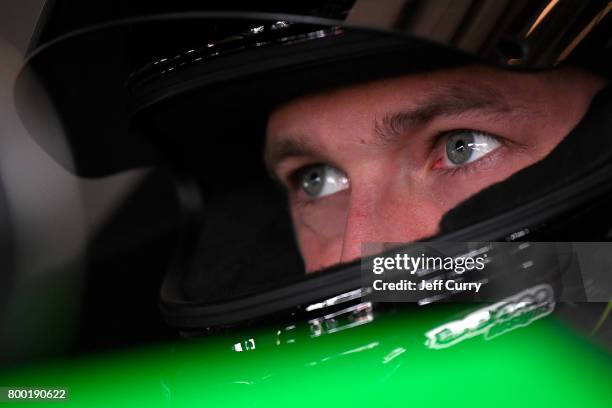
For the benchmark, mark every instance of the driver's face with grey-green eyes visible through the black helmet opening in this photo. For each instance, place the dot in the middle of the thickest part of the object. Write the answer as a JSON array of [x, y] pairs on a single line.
[[383, 161]]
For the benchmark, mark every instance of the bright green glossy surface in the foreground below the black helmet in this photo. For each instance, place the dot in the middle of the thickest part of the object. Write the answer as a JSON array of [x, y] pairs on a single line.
[[384, 362]]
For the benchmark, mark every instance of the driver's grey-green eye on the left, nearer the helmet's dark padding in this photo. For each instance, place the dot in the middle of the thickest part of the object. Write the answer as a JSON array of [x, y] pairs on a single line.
[[320, 180]]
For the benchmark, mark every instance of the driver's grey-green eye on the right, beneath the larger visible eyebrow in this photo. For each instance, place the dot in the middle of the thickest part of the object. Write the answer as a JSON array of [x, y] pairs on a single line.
[[462, 147]]
